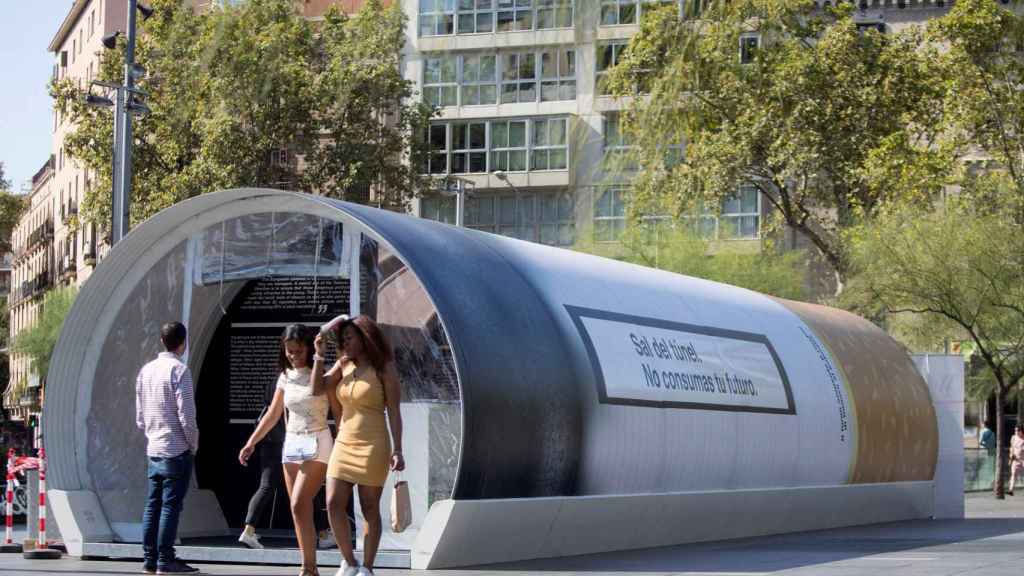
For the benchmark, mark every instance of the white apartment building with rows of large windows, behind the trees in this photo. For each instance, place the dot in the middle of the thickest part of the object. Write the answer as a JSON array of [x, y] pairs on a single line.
[[519, 86]]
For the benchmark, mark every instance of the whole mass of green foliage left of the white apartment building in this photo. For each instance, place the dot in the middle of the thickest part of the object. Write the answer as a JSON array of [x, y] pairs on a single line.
[[240, 95]]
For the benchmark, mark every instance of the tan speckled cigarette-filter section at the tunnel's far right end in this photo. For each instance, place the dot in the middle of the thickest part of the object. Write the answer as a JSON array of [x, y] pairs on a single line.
[[898, 434]]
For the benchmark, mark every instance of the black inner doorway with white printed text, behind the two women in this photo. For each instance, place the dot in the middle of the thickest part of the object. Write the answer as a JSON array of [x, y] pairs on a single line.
[[239, 372]]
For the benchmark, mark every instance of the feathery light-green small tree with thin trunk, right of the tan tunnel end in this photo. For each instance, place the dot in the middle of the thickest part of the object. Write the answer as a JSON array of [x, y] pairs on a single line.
[[959, 269]]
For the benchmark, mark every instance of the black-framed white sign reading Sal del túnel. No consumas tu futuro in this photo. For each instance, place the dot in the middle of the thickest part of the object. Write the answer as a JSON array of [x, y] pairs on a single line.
[[649, 362]]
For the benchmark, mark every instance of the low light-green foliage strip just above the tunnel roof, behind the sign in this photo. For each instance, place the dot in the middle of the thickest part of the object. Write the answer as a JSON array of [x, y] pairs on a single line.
[[677, 249]]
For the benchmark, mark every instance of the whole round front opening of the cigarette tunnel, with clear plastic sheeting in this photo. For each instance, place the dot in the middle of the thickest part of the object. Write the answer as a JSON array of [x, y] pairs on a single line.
[[236, 283]]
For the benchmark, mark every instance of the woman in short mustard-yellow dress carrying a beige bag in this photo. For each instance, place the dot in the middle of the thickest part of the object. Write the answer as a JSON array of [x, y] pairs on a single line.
[[365, 383]]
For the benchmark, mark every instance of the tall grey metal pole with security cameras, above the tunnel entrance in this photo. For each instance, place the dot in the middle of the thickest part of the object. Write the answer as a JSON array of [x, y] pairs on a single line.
[[129, 101]]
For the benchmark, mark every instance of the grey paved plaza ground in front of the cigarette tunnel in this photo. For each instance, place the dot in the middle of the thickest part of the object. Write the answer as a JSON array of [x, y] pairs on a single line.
[[990, 542]]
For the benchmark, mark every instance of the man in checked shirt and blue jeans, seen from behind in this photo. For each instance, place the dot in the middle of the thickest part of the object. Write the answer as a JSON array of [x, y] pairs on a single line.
[[165, 410]]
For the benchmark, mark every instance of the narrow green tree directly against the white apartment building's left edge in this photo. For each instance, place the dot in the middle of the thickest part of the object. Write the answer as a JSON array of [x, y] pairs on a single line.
[[370, 127]]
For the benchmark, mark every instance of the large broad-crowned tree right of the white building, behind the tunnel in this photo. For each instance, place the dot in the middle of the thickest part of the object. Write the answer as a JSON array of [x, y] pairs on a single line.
[[827, 120]]
